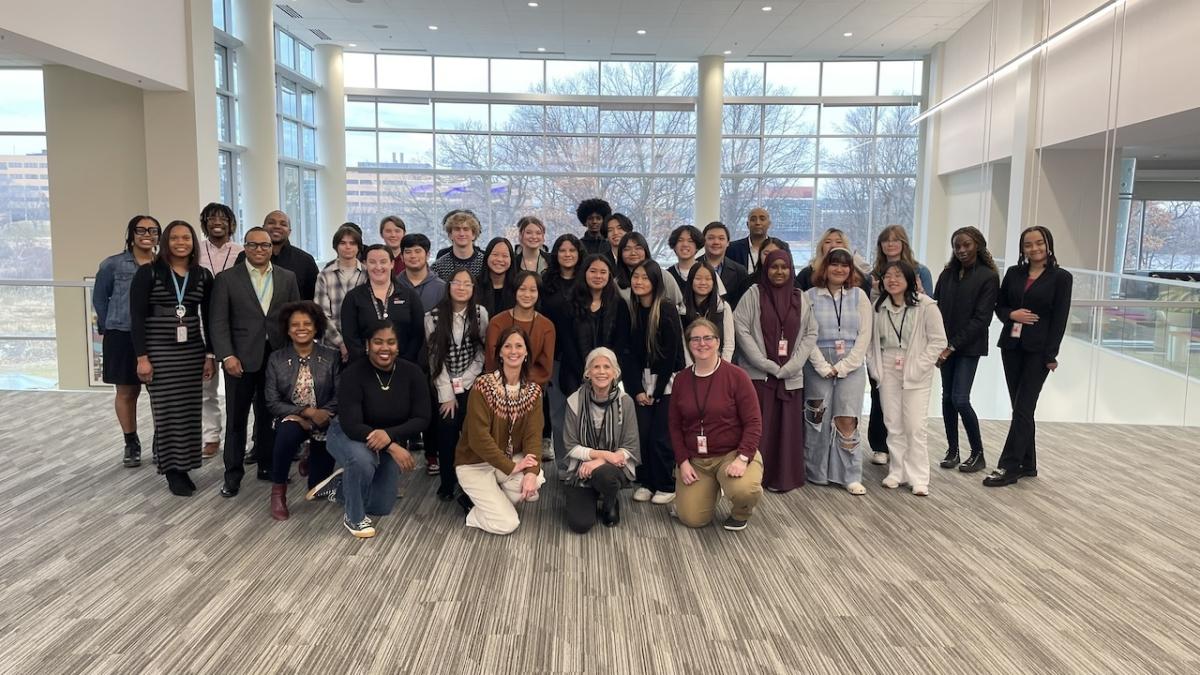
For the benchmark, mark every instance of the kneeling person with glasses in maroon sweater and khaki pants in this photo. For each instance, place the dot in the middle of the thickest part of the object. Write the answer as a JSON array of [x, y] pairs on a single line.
[[716, 427]]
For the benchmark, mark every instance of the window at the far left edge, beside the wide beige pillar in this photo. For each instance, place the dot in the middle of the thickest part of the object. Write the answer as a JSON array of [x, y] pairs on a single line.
[[28, 355]]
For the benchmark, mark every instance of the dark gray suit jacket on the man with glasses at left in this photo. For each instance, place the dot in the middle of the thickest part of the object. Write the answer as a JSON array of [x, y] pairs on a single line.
[[239, 326]]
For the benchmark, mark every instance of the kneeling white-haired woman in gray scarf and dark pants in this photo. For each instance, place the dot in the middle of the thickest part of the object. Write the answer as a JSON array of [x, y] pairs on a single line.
[[601, 433]]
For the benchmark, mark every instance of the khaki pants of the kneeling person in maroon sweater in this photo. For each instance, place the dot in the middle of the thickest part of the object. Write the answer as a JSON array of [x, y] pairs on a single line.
[[695, 504]]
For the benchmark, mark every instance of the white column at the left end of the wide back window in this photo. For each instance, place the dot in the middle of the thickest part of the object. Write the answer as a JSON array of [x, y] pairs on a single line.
[[331, 140]]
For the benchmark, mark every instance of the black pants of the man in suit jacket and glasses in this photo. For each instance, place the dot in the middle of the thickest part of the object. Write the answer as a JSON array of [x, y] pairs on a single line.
[[242, 395]]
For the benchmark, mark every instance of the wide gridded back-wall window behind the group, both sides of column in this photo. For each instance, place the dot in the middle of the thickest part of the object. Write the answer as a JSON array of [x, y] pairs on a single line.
[[427, 135]]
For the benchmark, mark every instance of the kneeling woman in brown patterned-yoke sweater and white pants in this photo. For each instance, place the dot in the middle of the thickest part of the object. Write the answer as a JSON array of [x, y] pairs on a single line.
[[503, 422]]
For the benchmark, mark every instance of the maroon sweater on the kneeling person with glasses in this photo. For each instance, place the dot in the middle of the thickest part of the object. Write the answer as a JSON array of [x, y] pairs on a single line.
[[733, 421]]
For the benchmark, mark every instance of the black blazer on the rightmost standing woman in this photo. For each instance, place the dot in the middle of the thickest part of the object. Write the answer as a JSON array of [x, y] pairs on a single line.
[[1049, 297]]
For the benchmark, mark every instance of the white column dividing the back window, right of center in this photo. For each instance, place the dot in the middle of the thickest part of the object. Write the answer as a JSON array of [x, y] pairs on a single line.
[[710, 101]]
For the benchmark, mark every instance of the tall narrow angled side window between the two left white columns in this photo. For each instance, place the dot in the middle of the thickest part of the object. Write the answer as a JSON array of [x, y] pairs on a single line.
[[296, 95]]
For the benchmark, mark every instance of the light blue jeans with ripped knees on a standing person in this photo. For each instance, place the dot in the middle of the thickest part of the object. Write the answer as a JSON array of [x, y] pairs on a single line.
[[830, 455]]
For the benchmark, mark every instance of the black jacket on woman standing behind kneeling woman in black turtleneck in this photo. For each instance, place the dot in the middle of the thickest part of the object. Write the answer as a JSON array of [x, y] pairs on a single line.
[[405, 312]]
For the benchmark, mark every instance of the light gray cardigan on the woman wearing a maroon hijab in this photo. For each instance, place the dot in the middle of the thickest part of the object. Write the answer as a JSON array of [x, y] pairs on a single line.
[[753, 349]]
